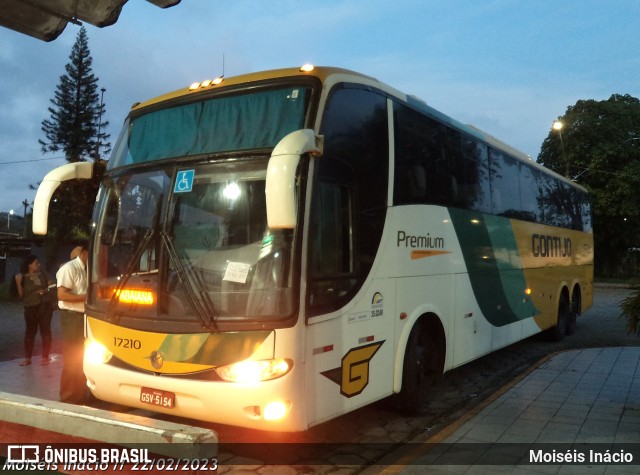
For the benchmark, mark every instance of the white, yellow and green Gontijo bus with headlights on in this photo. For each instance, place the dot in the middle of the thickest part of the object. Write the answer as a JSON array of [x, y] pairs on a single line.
[[277, 249]]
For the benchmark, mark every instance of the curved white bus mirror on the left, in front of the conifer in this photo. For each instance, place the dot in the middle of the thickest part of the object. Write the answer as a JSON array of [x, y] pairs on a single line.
[[48, 186]]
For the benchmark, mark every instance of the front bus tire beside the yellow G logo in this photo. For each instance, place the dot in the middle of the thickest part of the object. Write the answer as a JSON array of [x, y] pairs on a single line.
[[415, 373]]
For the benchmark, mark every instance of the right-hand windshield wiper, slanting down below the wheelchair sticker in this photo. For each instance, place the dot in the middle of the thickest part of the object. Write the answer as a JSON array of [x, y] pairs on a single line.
[[198, 297]]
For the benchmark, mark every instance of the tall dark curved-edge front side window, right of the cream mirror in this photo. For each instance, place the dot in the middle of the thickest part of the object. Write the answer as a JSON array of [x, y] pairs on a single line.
[[349, 196]]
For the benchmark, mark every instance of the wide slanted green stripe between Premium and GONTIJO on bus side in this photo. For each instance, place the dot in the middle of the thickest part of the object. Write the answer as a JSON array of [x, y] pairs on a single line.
[[491, 255]]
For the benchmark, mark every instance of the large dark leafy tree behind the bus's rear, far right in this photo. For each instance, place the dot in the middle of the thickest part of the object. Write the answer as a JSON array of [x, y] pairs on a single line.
[[599, 147]]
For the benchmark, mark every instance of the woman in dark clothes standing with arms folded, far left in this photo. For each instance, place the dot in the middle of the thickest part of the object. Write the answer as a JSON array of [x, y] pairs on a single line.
[[33, 288]]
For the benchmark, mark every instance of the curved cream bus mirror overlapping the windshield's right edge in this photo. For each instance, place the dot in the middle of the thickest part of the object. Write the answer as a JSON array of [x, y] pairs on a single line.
[[281, 176]]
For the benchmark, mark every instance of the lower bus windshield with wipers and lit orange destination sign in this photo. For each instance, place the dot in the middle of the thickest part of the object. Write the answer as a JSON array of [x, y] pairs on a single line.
[[200, 254]]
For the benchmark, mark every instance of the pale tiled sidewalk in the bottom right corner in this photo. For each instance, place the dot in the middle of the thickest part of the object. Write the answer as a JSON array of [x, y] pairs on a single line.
[[572, 402]]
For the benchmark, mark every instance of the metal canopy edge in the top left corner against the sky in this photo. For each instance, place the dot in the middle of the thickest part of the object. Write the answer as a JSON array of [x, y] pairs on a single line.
[[46, 19]]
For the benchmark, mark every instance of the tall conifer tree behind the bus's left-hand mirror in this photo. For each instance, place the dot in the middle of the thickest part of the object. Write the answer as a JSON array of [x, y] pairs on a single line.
[[75, 127]]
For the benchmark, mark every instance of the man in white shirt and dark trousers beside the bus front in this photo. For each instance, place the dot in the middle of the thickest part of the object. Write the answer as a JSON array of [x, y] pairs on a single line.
[[72, 293]]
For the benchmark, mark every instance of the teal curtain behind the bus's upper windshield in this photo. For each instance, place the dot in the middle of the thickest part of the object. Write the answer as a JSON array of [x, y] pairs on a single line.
[[244, 122]]
